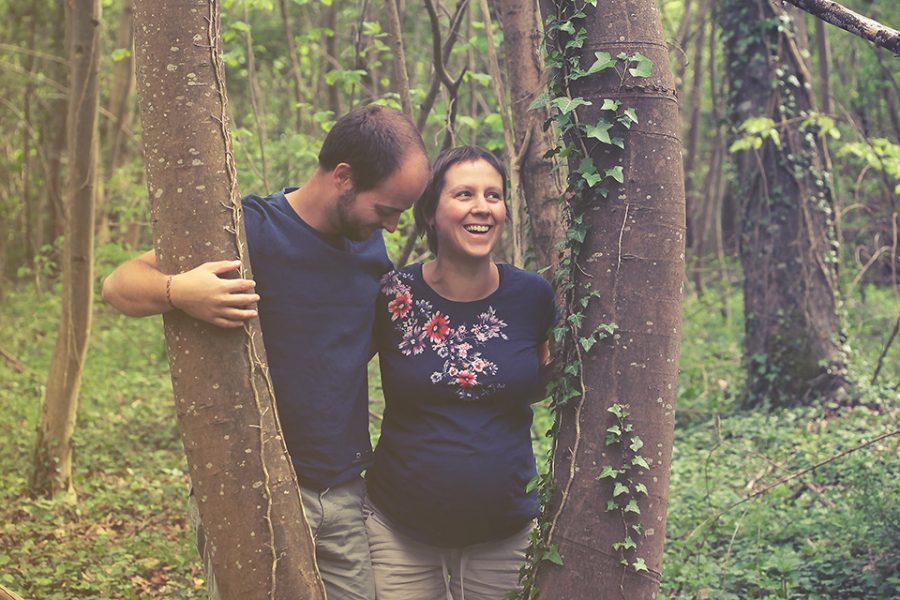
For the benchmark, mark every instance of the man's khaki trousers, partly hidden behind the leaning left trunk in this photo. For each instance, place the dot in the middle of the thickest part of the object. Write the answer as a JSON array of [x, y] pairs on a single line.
[[342, 551]]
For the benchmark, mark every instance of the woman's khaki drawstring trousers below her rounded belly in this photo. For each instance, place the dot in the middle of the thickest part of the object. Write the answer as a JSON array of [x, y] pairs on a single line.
[[409, 570]]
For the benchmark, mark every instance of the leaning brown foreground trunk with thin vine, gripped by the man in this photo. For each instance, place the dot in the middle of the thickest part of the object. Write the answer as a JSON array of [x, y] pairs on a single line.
[[244, 482]]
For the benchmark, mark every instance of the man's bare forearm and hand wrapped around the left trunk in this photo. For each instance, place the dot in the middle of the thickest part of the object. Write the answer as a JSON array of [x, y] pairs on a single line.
[[138, 289]]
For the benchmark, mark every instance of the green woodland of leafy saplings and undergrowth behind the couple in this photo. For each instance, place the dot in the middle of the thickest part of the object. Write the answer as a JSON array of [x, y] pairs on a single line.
[[292, 66]]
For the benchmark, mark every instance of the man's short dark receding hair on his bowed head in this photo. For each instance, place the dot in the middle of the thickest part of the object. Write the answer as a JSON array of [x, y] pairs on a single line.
[[373, 140]]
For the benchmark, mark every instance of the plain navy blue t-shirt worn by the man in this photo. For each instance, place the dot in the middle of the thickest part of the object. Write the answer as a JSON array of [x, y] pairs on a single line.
[[316, 310]]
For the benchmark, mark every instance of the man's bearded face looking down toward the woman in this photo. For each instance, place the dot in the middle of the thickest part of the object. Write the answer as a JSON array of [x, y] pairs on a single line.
[[360, 214]]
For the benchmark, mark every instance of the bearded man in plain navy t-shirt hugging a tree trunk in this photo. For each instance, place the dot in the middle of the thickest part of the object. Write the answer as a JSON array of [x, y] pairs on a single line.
[[317, 256]]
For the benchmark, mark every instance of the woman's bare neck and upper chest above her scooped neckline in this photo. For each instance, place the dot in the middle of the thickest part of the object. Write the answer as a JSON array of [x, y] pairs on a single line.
[[462, 281]]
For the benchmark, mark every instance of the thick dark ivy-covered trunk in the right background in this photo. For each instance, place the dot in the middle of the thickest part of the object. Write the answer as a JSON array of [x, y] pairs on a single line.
[[793, 340]]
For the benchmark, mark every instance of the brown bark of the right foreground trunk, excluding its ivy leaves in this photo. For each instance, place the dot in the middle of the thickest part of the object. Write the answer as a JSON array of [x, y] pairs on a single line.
[[633, 255]]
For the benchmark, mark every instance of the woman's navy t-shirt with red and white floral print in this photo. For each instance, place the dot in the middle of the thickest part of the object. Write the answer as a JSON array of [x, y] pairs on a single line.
[[459, 378]]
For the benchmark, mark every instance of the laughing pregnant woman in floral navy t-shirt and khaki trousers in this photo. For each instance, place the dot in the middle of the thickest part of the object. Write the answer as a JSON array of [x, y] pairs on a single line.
[[462, 341]]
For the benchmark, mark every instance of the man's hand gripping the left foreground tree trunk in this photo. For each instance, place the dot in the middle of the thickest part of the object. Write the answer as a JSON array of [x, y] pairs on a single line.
[[202, 294]]
